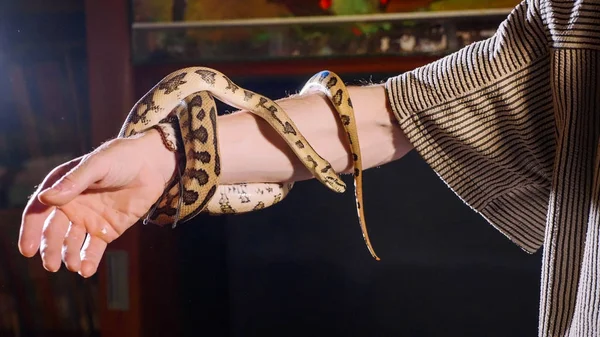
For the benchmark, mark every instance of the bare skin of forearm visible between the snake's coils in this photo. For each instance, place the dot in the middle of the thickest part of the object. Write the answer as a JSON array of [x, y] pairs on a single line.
[[251, 151]]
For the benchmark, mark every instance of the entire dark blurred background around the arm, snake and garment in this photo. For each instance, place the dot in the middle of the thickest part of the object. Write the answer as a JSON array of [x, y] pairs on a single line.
[[70, 72]]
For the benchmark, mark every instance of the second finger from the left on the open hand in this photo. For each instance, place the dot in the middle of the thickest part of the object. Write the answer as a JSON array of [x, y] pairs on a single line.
[[53, 236]]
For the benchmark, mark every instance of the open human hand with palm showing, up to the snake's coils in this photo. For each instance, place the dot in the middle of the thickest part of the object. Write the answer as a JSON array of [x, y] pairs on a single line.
[[84, 204]]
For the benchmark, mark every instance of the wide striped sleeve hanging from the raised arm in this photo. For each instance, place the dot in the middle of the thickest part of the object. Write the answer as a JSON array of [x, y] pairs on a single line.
[[482, 118]]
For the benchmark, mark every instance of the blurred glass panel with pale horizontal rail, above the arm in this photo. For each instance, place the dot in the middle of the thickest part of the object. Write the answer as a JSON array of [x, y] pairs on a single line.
[[231, 30]]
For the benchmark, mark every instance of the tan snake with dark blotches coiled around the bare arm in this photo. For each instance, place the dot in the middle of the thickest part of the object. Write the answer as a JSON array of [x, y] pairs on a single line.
[[182, 107]]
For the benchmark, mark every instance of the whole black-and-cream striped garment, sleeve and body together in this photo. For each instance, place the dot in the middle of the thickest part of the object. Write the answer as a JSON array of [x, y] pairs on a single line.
[[512, 125]]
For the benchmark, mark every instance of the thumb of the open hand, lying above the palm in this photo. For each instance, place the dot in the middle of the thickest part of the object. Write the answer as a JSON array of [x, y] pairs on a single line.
[[90, 170]]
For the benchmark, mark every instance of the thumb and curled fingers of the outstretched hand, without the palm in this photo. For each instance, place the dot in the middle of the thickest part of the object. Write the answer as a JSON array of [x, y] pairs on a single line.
[[47, 222]]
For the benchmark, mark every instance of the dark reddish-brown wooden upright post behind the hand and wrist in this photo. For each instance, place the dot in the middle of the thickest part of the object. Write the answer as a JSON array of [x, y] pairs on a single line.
[[111, 96]]
